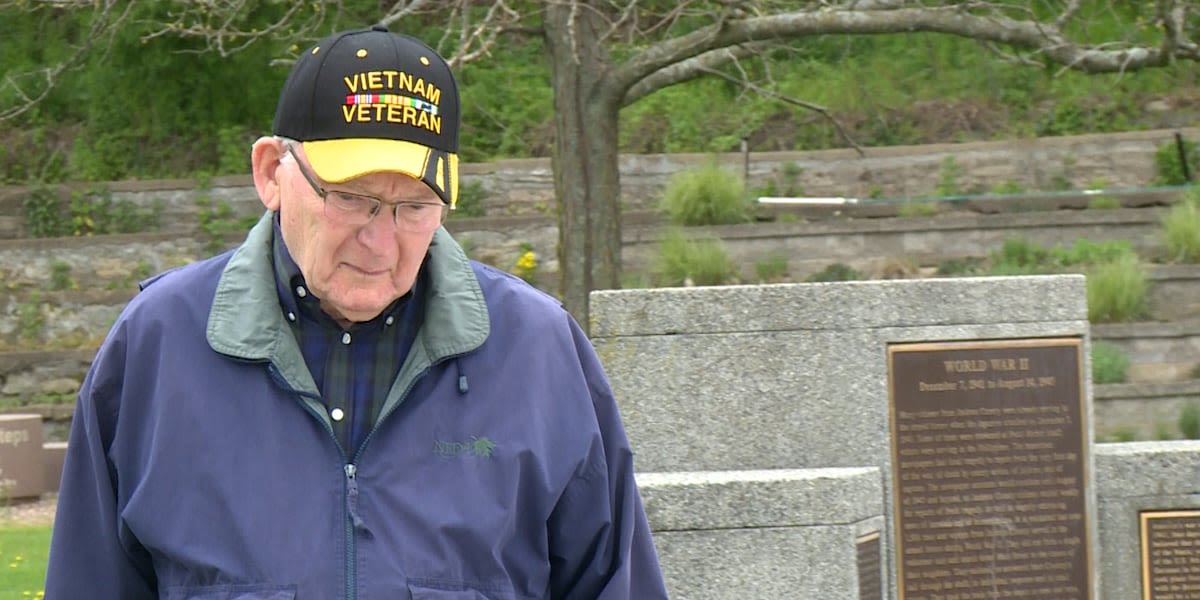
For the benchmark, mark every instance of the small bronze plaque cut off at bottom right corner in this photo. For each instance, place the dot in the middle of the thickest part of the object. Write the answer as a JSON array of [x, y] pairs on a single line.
[[1171, 555]]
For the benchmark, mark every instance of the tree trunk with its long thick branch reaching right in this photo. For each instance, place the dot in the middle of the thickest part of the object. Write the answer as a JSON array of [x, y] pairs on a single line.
[[591, 88]]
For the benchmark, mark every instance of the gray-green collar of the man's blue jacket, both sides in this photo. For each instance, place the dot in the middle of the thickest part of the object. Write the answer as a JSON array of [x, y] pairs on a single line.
[[247, 322]]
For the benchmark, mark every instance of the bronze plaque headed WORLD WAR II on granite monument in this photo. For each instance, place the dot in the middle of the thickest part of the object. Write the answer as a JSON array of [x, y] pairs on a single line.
[[989, 470]]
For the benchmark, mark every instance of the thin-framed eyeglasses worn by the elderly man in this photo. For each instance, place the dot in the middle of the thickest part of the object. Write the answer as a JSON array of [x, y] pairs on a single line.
[[357, 211]]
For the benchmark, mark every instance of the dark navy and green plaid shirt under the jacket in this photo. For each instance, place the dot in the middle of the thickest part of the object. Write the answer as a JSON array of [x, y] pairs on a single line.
[[353, 368]]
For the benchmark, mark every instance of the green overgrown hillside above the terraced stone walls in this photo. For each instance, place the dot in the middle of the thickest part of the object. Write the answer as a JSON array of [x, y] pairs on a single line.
[[160, 109]]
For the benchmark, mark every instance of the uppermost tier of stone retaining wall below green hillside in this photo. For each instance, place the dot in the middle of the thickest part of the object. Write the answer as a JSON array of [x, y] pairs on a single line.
[[525, 187]]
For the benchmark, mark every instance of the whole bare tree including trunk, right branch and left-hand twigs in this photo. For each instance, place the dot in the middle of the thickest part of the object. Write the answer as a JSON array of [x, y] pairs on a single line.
[[665, 43]]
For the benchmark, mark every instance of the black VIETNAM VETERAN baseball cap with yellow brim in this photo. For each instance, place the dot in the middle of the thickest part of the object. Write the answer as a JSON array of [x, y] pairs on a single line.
[[371, 101]]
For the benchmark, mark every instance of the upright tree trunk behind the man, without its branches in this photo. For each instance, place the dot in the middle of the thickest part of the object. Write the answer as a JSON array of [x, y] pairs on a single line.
[[585, 157]]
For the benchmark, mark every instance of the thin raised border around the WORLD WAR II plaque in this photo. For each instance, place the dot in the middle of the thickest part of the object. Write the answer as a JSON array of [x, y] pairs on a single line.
[[983, 345]]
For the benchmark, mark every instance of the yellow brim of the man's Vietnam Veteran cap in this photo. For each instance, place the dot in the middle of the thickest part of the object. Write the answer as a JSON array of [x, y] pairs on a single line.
[[343, 160]]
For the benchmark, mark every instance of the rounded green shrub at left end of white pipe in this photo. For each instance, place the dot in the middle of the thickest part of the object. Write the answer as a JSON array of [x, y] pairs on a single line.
[[709, 196]]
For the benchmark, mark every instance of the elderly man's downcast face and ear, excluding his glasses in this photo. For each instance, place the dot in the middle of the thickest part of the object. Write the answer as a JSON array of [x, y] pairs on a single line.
[[356, 271]]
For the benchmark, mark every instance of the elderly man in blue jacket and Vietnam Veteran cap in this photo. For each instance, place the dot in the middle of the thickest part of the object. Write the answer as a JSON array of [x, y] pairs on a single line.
[[345, 406]]
